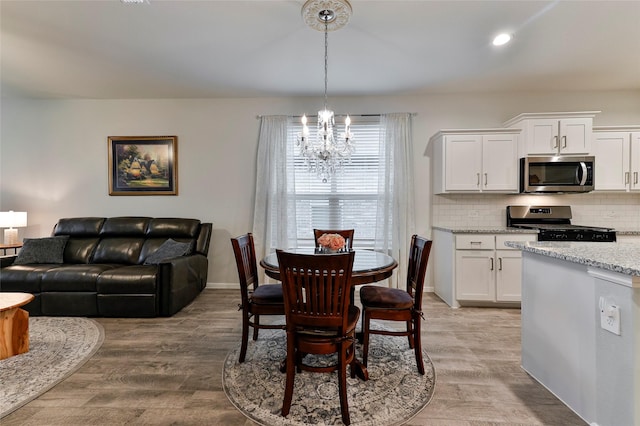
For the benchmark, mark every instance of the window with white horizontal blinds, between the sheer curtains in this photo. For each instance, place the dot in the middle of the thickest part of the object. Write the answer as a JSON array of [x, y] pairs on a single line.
[[349, 199]]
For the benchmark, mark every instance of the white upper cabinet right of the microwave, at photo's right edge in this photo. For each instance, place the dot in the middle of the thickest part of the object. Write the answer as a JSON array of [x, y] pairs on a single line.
[[617, 152]]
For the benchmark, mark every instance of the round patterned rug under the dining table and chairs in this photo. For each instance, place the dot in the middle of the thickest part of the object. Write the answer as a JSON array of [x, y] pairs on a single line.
[[394, 394]]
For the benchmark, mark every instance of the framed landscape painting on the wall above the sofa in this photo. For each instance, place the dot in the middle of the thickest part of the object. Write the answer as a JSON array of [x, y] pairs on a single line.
[[143, 165]]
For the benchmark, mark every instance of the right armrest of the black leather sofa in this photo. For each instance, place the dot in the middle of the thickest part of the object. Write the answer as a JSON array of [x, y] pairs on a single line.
[[181, 279]]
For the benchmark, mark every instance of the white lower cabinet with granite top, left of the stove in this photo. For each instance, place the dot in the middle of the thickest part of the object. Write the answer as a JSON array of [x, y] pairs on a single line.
[[478, 269]]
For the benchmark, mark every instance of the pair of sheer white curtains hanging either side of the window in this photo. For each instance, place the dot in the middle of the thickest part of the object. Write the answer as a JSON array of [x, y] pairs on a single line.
[[275, 222]]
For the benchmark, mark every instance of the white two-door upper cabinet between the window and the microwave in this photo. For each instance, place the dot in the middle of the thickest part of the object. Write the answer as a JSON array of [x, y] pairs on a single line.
[[475, 160]]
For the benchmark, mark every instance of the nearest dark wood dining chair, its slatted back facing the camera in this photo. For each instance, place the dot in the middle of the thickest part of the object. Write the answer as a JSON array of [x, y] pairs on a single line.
[[320, 318]]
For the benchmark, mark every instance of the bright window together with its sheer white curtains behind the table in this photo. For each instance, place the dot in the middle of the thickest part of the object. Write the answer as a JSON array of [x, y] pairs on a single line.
[[373, 193]]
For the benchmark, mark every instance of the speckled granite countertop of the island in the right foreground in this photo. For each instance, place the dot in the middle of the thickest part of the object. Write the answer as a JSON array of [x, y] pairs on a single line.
[[621, 257]]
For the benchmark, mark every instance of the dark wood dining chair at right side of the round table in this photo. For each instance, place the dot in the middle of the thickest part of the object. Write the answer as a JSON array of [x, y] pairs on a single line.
[[393, 304]]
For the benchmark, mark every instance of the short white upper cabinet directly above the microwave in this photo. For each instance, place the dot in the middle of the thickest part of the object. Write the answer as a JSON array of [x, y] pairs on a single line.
[[554, 133]]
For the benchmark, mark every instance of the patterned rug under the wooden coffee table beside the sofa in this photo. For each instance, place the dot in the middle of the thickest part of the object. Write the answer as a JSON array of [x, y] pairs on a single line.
[[58, 346]]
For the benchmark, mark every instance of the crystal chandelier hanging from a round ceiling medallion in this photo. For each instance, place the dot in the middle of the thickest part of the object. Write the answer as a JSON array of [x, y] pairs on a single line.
[[326, 151]]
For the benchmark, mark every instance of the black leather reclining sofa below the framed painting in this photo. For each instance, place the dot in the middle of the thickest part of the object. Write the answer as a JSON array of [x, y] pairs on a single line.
[[112, 267]]
